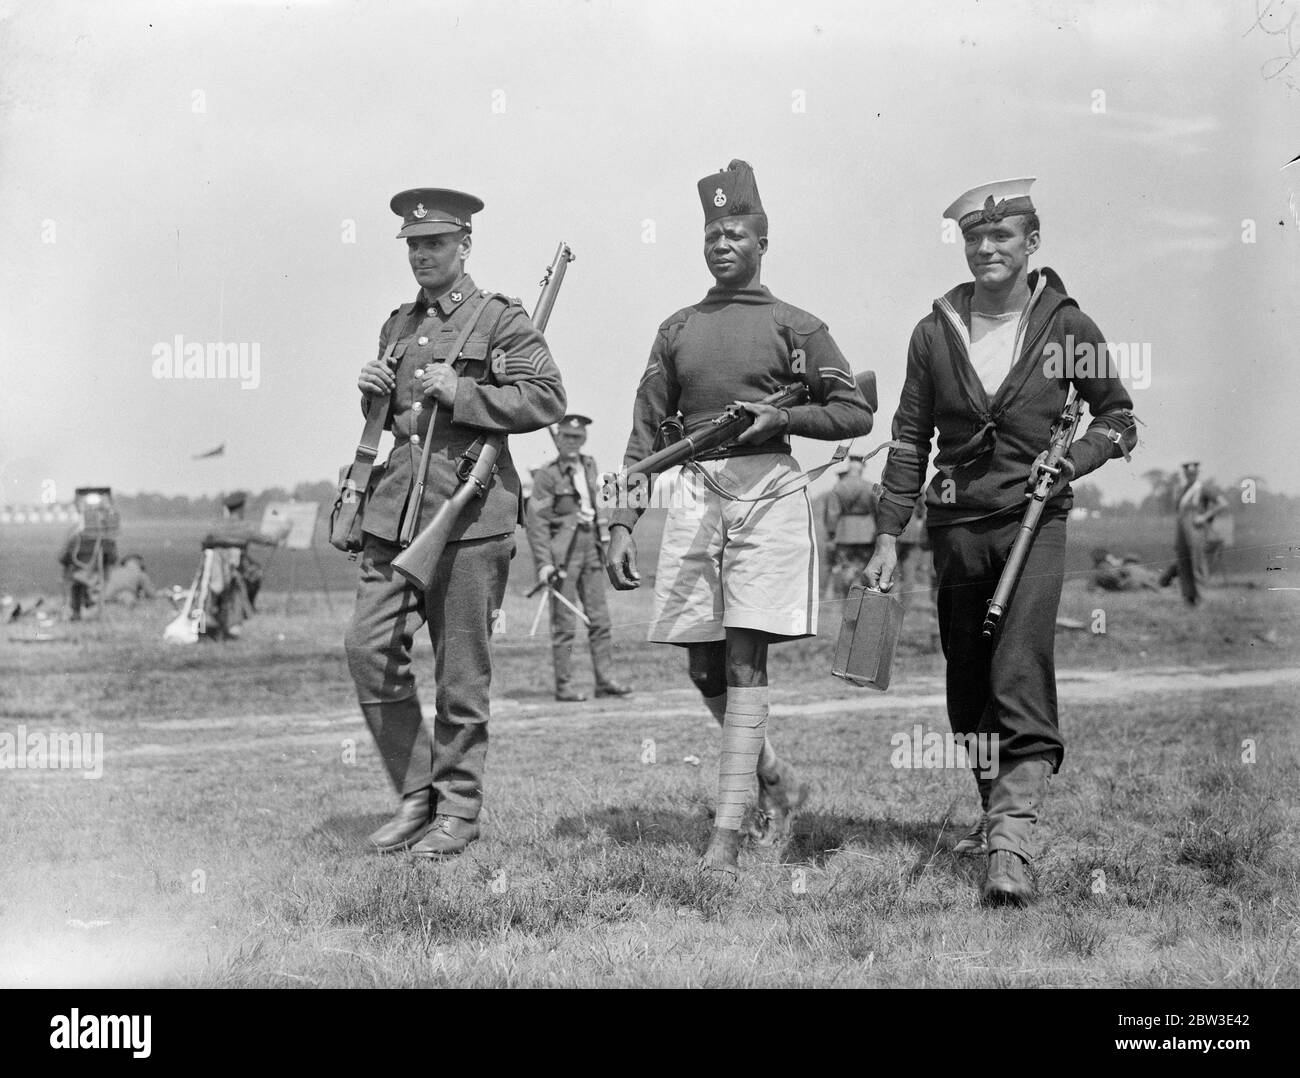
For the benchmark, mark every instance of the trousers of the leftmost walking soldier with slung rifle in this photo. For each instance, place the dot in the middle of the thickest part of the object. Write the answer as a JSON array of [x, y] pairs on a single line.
[[460, 609]]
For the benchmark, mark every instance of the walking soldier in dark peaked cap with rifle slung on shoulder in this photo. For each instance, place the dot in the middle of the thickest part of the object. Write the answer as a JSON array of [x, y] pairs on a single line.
[[453, 366]]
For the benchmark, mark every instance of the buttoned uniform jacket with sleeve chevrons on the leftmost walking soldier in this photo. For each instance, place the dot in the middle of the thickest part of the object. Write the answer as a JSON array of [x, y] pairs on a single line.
[[509, 386]]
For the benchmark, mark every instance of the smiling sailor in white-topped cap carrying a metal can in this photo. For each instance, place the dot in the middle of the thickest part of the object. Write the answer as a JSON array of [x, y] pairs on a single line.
[[985, 370]]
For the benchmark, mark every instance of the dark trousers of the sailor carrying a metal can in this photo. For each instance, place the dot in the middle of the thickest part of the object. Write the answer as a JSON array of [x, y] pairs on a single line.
[[1007, 686]]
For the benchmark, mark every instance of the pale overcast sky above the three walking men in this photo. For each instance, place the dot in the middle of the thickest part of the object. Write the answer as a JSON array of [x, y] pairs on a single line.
[[223, 171]]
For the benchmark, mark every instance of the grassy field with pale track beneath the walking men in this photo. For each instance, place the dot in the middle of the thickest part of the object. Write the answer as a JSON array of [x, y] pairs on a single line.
[[224, 845]]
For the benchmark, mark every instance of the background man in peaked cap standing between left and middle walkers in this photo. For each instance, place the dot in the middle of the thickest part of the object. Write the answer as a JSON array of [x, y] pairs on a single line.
[[567, 532]]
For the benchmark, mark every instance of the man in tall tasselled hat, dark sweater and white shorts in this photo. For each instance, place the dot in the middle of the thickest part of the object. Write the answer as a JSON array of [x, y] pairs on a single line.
[[738, 575]]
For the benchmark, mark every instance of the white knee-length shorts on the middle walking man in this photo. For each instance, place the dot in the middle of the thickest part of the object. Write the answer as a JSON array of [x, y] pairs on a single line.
[[729, 564]]
